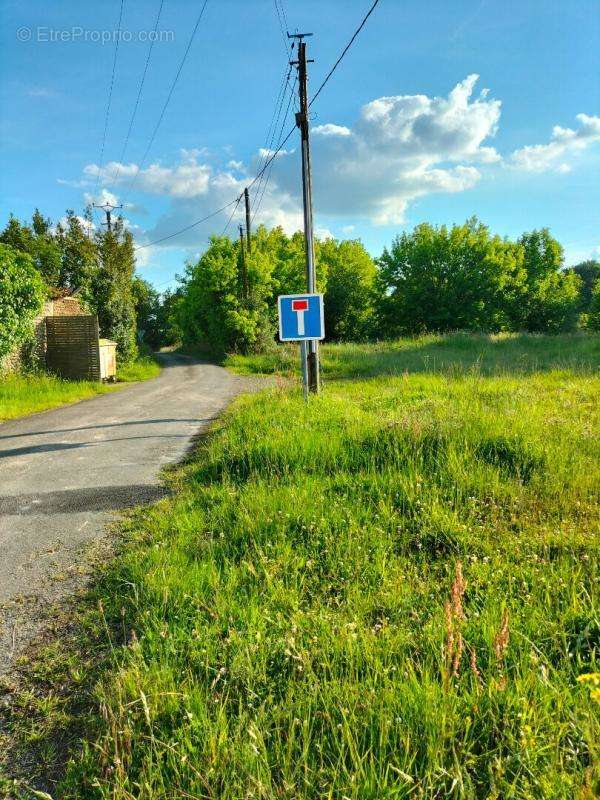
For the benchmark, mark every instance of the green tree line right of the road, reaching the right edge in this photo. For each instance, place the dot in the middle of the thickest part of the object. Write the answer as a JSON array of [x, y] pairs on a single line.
[[434, 279]]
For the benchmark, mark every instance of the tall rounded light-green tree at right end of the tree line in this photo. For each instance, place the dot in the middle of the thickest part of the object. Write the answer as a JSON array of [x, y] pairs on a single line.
[[551, 298]]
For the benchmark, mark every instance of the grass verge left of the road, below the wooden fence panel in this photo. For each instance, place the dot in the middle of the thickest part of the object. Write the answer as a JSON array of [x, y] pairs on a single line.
[[28, 394]]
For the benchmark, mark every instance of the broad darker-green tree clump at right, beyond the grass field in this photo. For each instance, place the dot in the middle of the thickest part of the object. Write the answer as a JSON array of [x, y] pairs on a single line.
[[440, 279]]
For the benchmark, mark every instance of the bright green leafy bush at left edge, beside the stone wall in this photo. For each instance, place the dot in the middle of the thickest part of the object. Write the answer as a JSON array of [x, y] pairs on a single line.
[[22, 293]]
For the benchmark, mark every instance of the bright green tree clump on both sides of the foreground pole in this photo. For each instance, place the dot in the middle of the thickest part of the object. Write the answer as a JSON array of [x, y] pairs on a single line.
[[218, 307]]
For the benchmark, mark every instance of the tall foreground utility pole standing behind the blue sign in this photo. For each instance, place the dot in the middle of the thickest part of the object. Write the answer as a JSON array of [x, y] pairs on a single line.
[[303, 122]]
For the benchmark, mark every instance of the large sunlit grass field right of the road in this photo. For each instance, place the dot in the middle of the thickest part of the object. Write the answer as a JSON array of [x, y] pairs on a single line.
[[390, 592]]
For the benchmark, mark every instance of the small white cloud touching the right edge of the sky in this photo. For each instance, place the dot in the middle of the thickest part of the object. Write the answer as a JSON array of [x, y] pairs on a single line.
[[564, 144]]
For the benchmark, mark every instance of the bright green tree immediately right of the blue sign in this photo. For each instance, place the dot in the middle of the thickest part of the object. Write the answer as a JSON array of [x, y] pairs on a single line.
[[350, 295]]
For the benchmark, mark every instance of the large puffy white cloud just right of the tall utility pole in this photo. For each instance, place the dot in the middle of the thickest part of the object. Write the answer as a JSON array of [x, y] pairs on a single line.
[[401, 148]]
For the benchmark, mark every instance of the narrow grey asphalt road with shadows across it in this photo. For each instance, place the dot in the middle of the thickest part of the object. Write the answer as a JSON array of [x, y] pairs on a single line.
[[63, 474]]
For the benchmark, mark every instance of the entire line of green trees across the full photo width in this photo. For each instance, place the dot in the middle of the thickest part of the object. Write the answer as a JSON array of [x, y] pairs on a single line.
[[434, 278]]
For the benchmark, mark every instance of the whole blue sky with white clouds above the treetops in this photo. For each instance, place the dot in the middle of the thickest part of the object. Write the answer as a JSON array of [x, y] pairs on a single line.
[[403, 133]]
